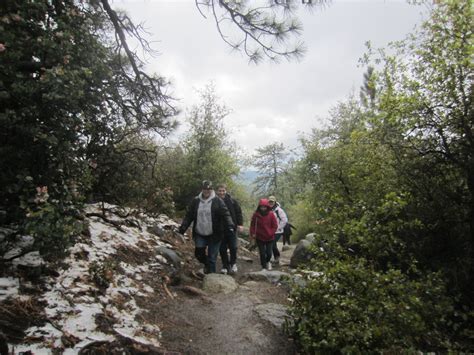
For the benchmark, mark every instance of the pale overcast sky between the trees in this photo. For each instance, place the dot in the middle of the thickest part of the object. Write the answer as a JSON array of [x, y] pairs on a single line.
[[270, 102]]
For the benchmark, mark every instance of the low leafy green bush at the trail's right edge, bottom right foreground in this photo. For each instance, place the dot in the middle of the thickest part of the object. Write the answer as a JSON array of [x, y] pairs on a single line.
[[351, 308]]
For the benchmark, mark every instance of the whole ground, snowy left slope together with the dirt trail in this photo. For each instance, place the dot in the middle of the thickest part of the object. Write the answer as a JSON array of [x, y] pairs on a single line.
[[130, 285]]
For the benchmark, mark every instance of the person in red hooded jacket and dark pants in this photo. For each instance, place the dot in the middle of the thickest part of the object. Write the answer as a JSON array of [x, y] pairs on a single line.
[[263, 227]]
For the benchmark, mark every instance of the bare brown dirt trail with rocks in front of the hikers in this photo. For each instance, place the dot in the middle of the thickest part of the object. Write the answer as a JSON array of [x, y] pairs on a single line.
[[225, 324]]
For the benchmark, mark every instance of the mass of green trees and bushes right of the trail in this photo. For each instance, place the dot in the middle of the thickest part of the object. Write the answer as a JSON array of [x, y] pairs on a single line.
[[391, 201]]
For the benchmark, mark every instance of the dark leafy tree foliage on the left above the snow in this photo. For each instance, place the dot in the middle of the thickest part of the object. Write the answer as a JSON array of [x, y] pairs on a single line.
[[69, 100]]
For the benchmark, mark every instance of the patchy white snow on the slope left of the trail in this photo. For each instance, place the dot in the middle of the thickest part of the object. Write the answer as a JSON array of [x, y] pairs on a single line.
[[73, 300]]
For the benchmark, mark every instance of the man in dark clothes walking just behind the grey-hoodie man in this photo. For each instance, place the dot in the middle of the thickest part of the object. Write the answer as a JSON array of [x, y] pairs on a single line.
[[229, 242]]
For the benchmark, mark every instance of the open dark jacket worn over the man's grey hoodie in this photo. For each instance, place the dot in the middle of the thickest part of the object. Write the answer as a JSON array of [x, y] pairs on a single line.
[[221, 219]]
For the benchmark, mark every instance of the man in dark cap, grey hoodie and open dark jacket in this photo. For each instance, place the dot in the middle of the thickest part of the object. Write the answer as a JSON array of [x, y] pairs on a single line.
[[212, 221]]
